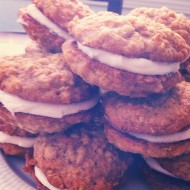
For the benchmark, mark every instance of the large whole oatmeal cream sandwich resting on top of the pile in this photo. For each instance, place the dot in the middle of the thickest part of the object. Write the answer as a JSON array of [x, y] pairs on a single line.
[[131, 56]]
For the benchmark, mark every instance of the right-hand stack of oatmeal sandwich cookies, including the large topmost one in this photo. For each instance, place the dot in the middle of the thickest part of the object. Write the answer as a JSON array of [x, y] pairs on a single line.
[[146, 102]]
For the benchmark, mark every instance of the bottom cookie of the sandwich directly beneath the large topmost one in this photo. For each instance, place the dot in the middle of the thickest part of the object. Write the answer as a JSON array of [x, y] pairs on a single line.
[[128, 143]]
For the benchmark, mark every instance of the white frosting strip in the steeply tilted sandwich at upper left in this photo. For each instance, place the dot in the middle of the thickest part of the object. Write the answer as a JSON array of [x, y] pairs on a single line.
[[36, 14]]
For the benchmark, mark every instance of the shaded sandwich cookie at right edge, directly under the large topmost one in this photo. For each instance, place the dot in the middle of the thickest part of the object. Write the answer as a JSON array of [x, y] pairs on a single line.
[[156, 126]]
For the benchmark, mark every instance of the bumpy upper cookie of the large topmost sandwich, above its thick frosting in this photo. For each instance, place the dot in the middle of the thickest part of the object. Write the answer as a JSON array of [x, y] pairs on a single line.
[[129, 36]]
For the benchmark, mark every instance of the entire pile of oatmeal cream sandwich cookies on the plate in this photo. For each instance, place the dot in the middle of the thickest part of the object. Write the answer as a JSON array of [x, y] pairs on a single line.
[[74, 137]]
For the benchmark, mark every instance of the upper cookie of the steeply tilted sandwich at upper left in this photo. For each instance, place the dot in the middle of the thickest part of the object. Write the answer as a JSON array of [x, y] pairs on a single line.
[[62, 12]]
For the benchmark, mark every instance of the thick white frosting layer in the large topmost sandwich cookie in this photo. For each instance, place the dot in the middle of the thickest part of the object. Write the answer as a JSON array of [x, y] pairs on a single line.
[[134, 65]]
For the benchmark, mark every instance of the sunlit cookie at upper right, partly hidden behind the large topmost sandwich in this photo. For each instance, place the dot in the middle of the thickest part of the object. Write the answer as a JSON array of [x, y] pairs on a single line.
[[175, 21]]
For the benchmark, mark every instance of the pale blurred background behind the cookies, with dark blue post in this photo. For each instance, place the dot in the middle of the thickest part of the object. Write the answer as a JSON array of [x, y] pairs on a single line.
[[9, 9]]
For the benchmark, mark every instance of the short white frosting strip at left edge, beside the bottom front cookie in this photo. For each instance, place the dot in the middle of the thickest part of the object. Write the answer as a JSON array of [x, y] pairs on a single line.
[[25, 142]]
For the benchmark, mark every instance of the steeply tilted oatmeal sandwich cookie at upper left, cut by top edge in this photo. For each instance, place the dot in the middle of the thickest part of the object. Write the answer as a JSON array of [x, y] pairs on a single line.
[[46, 21]]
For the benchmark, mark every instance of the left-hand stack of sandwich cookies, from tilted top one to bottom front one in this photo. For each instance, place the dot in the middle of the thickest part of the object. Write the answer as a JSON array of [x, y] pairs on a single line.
[[49, 114]]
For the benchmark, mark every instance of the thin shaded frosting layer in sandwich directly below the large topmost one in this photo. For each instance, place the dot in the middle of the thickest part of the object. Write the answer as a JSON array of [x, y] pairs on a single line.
[[176, 137]]
